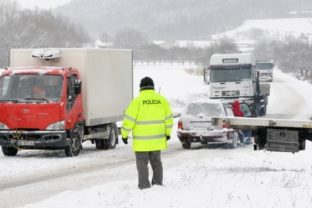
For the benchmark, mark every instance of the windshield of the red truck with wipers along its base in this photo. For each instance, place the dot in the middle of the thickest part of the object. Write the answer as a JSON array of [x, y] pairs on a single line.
[[30, 88]]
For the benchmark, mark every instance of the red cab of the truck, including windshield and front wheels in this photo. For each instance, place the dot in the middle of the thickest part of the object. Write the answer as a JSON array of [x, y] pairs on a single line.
[[41, 108]]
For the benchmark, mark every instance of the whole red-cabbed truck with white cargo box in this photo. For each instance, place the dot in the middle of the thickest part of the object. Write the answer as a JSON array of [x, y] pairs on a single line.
[[59, 98]]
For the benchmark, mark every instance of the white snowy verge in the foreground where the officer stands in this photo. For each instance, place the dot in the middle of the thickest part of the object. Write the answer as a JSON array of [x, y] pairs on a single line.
[[199, 178]]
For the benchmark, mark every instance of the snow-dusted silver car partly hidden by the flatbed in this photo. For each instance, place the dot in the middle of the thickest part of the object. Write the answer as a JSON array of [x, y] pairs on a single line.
[[195, 124]]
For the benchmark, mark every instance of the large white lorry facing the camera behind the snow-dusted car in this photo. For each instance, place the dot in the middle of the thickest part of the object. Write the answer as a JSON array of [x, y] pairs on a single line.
[[233, 76]]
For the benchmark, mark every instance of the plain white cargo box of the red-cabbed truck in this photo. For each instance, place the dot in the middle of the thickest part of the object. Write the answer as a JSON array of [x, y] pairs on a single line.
[[106, 75]]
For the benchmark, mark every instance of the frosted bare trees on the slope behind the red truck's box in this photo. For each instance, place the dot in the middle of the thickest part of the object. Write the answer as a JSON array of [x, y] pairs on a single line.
[[34, 29]]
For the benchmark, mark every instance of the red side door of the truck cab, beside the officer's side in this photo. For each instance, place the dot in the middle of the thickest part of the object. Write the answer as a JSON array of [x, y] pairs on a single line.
[[73, 102]]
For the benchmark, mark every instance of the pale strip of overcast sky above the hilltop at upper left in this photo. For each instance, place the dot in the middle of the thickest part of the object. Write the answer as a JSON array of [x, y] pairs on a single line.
[[44, 4]]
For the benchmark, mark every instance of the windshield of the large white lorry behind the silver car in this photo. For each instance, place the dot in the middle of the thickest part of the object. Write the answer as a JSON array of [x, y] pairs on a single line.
[[230, 74]]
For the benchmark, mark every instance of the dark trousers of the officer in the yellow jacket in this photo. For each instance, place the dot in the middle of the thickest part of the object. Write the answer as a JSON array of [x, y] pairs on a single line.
[[142, 159]]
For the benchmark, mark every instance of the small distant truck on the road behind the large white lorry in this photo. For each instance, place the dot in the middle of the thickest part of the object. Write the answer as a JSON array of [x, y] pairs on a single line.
[[265, 69]]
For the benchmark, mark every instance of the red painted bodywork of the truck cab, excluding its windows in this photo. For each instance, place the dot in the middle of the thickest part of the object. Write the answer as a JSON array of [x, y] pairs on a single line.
[[38, 116]]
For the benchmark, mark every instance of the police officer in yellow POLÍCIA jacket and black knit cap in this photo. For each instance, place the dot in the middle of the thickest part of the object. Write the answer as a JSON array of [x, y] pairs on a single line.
[[149, 117]]
